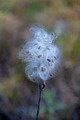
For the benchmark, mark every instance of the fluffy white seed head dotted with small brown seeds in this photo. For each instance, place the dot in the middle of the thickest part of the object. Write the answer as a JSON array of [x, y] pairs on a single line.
[[41, 55]]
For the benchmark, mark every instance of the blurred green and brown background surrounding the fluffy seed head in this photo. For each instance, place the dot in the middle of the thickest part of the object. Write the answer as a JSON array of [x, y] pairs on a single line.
[[19, 96]]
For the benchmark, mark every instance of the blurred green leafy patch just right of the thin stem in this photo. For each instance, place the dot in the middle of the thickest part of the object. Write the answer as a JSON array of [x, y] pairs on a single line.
[[52, 105]]
